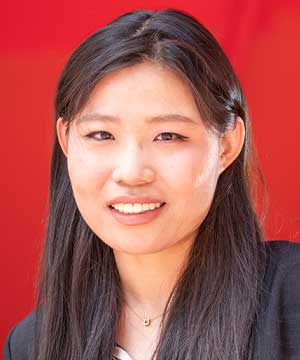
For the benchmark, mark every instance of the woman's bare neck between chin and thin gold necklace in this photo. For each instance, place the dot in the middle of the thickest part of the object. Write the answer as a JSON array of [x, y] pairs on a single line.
[[148, 279]]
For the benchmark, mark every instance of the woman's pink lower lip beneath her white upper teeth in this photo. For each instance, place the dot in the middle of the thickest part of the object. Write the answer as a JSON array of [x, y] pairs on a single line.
[[136, 219]]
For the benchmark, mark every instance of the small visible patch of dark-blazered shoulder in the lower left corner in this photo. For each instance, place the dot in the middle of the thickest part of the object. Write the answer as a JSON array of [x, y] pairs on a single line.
[[19, 339]]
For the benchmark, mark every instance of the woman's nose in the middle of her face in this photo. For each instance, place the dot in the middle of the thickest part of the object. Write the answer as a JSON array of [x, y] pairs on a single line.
[[131, 168]]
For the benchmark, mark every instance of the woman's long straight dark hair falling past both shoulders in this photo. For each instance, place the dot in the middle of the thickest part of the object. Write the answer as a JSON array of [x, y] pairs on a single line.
[[212, 310]]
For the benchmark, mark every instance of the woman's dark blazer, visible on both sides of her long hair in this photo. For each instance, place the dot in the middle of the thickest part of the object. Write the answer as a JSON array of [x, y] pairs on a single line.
[[278, 327]]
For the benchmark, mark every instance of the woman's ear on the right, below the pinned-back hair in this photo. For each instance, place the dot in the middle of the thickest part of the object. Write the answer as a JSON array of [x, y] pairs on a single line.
[[231, 144]]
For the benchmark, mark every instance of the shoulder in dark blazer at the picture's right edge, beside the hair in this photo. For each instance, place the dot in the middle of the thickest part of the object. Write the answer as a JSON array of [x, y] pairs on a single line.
[[278, 325]]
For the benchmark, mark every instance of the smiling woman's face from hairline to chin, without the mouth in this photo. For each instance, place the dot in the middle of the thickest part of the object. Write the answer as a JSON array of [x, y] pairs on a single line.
[[135, 151]]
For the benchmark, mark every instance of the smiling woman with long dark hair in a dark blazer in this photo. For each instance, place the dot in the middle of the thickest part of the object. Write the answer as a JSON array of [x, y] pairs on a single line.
[[153, 248]]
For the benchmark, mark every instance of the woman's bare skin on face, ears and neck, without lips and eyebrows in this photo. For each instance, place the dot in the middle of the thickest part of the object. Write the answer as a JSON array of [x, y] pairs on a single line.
[[136, 159]]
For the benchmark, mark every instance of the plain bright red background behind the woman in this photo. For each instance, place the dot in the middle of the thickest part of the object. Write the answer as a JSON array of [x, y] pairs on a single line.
[[261, 38]]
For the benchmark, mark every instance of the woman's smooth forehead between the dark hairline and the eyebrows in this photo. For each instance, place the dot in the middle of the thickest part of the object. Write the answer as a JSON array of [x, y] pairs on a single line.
[[144, 87]]
